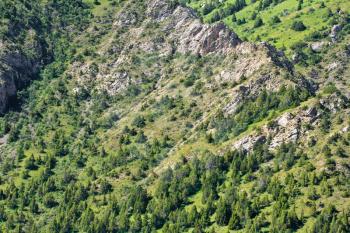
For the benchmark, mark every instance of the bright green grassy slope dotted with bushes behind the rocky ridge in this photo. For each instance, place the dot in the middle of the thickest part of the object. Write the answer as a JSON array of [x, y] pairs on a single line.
[[292, 21]]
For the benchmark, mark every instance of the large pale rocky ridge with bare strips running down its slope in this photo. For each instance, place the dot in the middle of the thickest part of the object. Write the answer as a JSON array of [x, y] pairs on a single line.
[[245, 67]]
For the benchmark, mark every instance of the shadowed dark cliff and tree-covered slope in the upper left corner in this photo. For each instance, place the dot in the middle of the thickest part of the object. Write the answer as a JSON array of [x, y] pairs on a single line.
[[30, 33]]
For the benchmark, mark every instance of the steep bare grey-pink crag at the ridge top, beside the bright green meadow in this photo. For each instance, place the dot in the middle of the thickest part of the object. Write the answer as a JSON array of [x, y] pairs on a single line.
[[188, 33]]
